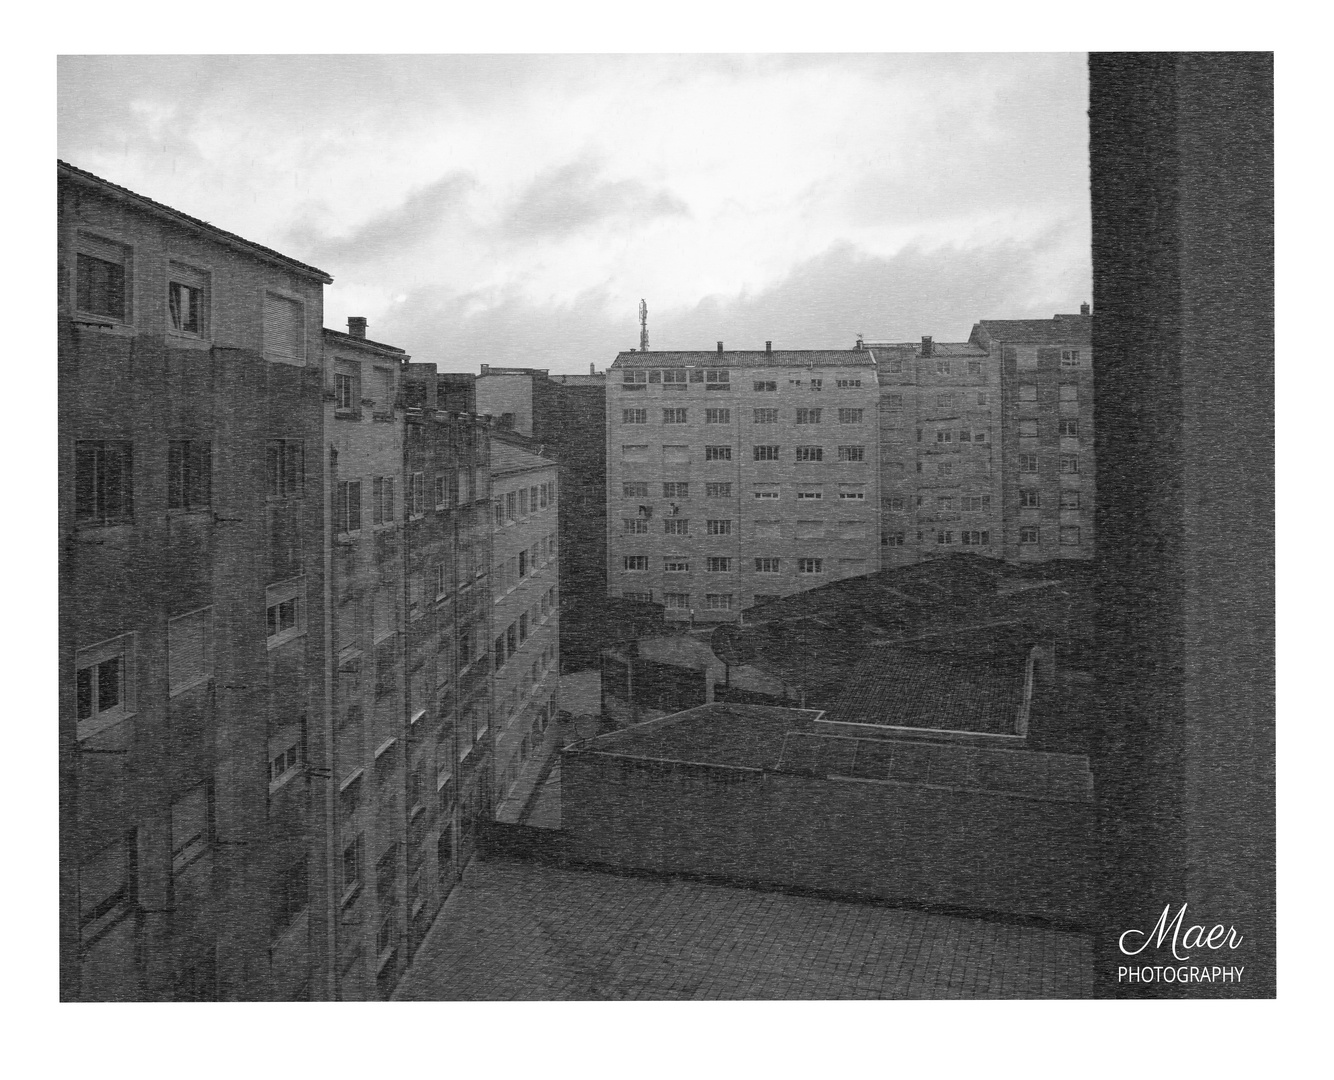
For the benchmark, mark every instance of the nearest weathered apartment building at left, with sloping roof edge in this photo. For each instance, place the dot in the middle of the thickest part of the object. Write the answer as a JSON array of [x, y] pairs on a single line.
[[194, 762]]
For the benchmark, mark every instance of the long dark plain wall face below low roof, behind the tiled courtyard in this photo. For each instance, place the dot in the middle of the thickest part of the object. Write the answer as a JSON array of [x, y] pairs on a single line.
[[910, 843]]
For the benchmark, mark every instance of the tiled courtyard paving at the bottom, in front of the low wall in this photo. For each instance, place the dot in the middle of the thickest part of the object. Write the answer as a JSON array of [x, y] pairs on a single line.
[[524, 931]]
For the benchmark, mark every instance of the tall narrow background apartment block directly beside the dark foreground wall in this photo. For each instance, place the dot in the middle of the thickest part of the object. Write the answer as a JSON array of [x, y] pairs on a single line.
[[1047, 433]]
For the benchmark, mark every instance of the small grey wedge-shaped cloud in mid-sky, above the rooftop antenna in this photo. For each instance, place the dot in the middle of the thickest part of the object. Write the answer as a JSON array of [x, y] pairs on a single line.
[[576, 197]]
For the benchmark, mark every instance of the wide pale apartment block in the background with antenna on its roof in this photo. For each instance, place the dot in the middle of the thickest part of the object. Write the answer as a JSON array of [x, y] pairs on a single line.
[[740, 477]]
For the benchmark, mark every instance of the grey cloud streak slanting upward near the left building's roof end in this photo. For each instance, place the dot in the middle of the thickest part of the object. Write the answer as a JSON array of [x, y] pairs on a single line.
[[396, 233]]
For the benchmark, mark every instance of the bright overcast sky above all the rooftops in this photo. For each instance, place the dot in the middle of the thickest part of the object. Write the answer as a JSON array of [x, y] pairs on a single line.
[[514, 210]]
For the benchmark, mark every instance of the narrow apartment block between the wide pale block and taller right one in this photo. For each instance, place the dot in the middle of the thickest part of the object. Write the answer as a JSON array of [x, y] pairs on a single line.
[[940, 458]]
